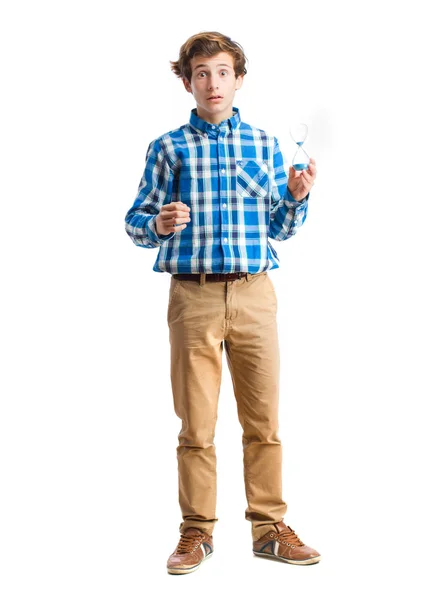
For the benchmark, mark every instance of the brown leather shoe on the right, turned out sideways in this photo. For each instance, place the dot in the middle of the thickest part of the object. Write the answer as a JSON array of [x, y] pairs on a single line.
[[282, 543]]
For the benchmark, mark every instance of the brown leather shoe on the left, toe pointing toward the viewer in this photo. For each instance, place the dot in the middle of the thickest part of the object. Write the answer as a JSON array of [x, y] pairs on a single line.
[[193, 548]]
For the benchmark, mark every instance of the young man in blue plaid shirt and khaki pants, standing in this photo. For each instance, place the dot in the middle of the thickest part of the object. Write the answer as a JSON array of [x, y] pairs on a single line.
[[212, 193]]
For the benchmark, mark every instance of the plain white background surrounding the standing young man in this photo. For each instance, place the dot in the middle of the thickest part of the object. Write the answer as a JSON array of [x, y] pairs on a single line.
[[89, 505]]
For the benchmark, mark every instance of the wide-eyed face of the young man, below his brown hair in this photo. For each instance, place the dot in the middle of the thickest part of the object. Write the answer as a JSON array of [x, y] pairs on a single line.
[[213, 86]]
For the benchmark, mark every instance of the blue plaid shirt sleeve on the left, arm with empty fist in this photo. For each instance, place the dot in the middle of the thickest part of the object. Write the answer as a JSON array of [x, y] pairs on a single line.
[[155, 190]]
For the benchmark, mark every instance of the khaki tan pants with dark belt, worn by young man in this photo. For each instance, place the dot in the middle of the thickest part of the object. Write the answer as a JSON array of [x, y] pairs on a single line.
[[240, 316]]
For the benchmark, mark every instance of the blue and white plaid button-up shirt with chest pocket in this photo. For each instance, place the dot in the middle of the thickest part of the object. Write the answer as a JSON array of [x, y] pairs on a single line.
[[233, 179]]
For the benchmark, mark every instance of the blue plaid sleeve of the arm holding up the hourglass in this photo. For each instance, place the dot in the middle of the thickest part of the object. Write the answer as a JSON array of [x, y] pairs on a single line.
[[286, 214]]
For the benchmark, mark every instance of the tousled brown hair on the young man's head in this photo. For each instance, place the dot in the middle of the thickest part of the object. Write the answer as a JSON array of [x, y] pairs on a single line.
[[208, 43]]
